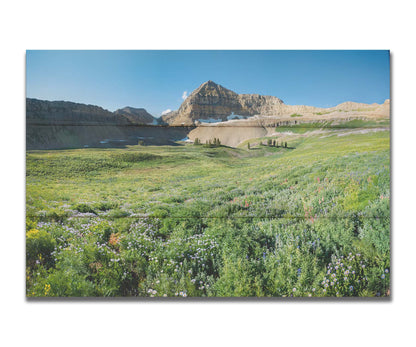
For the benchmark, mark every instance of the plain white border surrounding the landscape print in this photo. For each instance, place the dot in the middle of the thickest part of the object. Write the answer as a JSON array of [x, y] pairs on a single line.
[[201, 25]]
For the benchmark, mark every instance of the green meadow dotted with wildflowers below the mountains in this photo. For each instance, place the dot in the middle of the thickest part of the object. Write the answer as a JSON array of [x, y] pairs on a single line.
[[310, 220]]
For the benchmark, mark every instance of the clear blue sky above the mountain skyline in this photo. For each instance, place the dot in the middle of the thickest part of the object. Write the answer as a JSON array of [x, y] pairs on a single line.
[[158, 80]]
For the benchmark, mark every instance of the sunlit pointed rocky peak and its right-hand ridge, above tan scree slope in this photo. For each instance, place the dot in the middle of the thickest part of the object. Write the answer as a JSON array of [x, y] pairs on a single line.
[[212, 103]]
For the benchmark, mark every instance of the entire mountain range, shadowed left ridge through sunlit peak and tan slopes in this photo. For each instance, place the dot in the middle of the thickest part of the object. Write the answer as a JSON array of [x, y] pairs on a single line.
[[210, 111]]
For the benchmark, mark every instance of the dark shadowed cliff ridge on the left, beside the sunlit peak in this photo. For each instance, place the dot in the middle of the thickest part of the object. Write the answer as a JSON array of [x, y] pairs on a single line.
[[61, 124]]
